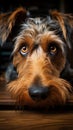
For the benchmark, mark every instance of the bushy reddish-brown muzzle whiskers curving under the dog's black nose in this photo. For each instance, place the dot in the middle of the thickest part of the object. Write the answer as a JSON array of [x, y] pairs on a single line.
[[58, 95]]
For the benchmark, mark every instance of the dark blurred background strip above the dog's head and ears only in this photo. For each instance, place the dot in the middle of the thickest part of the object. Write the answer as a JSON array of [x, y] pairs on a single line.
[[61, 5]]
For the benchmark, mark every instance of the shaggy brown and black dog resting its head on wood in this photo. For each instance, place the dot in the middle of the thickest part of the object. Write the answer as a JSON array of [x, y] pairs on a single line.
[[41, 72]]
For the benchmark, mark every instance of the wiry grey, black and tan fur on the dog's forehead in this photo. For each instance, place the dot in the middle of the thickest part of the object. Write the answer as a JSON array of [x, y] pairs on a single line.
[[40, 25]]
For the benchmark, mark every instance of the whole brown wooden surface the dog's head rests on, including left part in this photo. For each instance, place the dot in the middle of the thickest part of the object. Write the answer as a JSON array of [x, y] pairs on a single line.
[[11, 119]]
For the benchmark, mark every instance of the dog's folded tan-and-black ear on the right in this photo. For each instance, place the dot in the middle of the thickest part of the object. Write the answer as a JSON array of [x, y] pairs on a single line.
[[66, 23]]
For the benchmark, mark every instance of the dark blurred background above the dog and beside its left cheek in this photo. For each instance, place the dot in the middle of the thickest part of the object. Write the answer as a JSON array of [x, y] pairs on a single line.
[[35, 7]]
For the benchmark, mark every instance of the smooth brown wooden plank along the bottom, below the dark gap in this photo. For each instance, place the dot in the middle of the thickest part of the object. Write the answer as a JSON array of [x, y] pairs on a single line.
[[17, 120]]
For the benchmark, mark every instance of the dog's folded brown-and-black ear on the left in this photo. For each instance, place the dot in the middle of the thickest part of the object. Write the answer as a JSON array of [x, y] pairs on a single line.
[[9, 23]]
